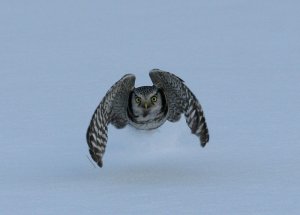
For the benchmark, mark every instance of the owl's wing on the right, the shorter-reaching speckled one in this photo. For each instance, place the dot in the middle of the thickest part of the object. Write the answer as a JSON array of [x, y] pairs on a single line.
[[180, 100]]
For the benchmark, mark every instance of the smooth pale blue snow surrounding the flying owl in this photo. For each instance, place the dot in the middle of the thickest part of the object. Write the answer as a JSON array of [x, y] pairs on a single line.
[[239, 57]]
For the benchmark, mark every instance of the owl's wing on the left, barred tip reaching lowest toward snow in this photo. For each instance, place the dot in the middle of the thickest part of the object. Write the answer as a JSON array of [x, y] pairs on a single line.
[[112, 109]]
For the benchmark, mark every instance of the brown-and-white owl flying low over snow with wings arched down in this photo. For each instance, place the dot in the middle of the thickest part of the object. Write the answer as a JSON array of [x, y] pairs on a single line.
[[146, 107]]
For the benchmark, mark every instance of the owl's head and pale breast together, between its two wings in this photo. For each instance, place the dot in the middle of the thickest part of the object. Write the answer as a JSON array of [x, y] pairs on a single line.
[[147, 108]]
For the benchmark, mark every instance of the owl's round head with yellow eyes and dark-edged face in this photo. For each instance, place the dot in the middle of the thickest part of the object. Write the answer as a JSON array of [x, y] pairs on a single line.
[[146, 102]]
